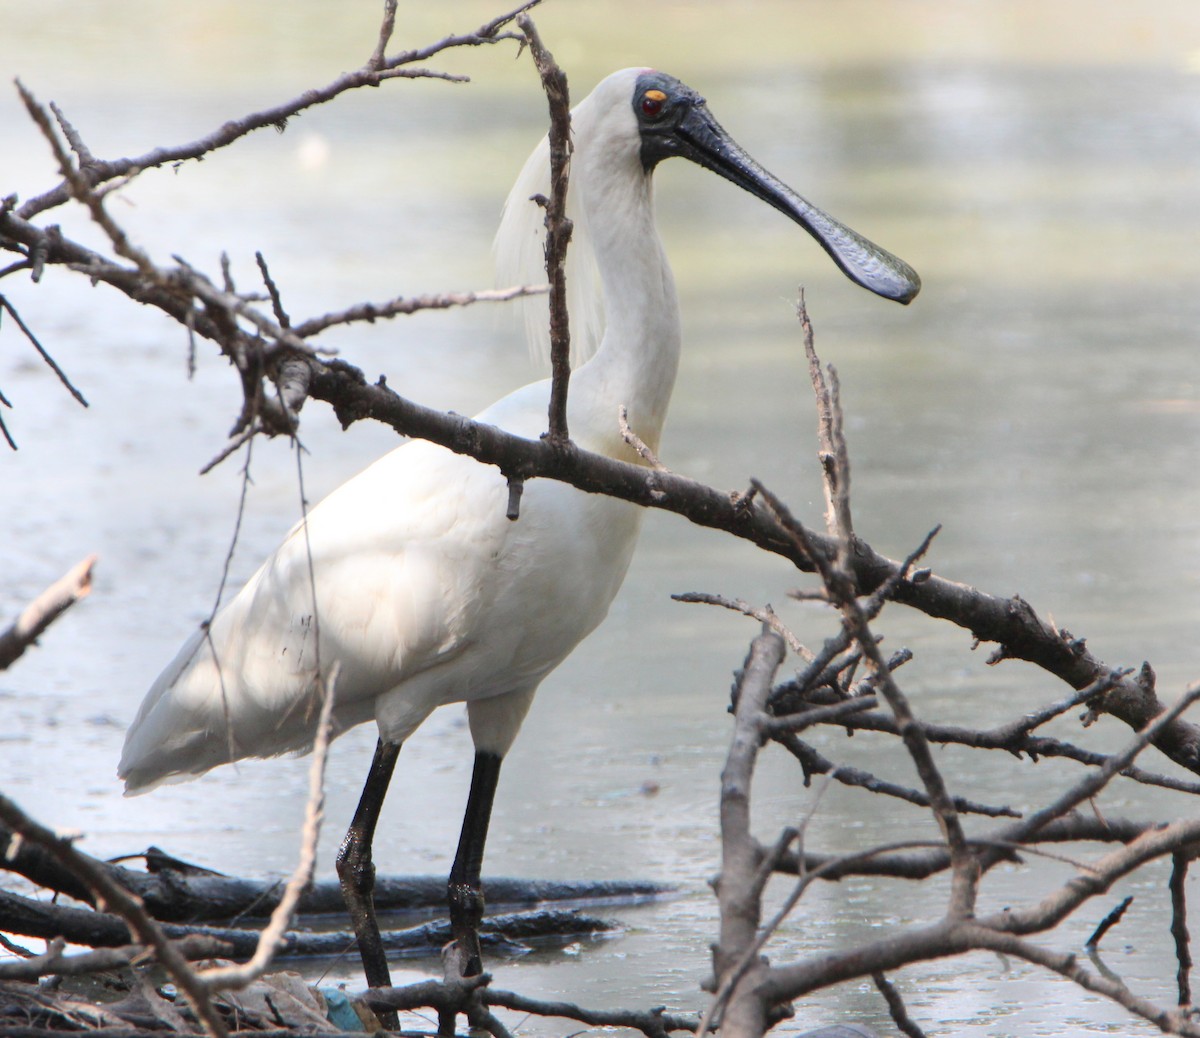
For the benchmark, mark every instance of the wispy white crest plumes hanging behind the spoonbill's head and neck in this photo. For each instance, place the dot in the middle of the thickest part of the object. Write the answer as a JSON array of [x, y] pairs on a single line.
[[520, 257]]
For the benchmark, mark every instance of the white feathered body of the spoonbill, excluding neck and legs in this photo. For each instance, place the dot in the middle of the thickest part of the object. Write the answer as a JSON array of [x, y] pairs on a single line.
[[425, 593]]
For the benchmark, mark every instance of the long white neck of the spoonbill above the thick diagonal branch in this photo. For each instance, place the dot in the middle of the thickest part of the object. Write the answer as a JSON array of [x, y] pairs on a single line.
[[639, 357]]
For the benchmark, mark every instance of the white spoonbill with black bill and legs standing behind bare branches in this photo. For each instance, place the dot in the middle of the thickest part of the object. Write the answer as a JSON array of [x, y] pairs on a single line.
[[423, 593]]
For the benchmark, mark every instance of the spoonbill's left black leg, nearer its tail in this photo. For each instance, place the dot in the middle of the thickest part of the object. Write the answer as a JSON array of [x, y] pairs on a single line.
[[356, 871]]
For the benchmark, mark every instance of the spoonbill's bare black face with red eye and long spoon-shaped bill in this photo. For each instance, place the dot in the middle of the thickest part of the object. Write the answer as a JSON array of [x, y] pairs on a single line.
[[674, 119]]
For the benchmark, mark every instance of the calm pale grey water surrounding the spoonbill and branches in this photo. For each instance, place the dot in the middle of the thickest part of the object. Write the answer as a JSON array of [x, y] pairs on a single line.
[[1040, 400]]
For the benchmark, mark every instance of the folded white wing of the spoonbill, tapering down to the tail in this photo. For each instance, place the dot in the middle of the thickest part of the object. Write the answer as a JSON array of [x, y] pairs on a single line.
[[393, 553]]
